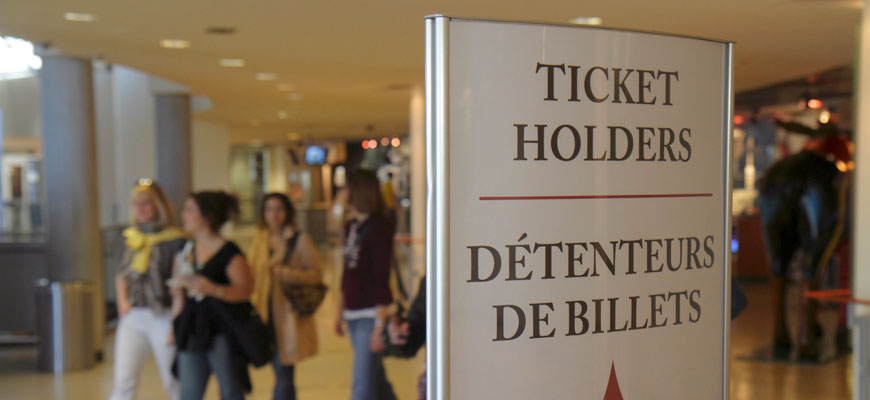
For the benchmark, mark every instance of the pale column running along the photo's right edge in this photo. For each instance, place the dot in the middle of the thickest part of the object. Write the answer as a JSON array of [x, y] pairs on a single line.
[[861, 222]]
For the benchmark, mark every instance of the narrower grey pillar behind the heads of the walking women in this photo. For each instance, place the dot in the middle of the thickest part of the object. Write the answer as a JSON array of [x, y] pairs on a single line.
[[173, 146]]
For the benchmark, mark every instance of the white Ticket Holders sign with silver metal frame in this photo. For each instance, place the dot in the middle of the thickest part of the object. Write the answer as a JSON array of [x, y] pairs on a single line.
[[579, 235]]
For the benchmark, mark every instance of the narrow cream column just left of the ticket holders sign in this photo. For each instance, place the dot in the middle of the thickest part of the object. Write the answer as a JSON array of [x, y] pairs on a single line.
[[417, 136]]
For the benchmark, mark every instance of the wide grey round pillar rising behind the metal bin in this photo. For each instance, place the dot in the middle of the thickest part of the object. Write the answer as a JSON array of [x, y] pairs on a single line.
[[70, 162]]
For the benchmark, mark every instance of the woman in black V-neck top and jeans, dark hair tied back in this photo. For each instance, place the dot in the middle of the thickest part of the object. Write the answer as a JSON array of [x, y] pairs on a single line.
[[211, 274]]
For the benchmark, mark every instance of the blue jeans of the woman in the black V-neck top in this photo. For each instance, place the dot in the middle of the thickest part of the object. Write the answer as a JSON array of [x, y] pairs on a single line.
[[194, 369]]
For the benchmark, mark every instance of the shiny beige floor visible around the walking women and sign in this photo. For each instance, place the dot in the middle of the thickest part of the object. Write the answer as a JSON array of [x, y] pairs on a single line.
[[327, 376]]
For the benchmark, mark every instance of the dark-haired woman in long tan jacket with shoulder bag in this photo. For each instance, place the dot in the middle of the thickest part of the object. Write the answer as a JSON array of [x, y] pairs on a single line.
[[282, 255]]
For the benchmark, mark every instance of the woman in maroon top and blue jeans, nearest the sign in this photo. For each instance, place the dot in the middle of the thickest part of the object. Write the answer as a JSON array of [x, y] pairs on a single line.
[[365, 286]]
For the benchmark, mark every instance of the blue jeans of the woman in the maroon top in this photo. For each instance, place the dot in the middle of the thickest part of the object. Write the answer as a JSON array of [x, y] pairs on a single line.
[[369, 377]]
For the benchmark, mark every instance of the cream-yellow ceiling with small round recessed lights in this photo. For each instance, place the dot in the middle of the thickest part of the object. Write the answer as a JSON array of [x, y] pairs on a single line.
[[353, 61]]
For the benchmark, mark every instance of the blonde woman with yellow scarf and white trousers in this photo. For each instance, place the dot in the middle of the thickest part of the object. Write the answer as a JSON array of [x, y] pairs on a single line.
[[144, 300]]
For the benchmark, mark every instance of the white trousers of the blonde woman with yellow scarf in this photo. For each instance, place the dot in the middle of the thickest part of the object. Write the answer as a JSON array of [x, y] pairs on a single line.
[[140, 331]]
